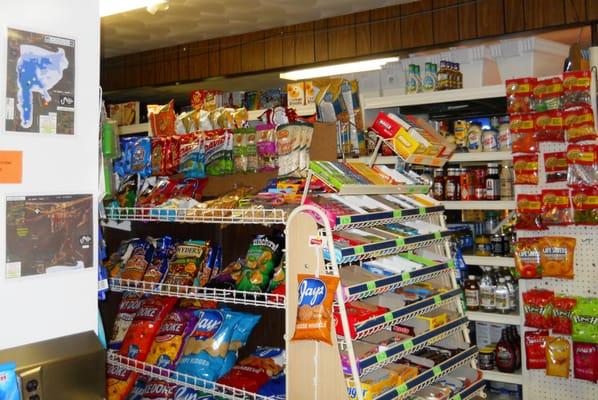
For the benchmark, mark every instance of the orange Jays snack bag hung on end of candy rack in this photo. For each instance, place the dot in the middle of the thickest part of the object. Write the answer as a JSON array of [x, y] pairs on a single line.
[[314, 307]]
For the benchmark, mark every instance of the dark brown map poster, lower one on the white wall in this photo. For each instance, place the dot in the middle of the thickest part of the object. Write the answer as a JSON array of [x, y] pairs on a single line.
[[47, 234]]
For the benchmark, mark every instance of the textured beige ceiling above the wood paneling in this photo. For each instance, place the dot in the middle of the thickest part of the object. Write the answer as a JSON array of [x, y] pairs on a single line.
[[194, 20]]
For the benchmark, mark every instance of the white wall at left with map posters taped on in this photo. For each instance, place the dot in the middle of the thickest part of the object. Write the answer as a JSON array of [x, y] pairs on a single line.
[[44, 307]]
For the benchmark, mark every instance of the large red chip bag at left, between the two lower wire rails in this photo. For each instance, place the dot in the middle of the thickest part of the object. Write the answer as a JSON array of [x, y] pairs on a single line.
[[145, 325]]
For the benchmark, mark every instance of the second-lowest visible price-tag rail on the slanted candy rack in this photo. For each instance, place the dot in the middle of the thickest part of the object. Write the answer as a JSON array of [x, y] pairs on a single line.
[[430, 376]]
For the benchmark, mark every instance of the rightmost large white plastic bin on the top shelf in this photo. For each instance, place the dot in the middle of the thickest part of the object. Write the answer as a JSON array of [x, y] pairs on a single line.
[[529, 57]]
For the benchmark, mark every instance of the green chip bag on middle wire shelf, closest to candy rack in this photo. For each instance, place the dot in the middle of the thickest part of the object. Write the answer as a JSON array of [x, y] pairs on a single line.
[[263, 255]]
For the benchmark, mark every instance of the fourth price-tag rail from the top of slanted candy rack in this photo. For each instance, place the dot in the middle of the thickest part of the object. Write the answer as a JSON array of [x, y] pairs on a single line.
[[397, 316]]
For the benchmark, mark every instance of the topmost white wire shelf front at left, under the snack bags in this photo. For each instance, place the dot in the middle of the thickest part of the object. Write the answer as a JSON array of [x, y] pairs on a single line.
[[198, 215]]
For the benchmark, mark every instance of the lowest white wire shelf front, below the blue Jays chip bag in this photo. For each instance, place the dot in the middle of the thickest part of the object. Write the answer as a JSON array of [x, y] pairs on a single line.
[[177, 378]]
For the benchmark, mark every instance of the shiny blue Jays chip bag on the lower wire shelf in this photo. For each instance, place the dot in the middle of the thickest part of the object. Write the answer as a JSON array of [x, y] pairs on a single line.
[[205, 351]]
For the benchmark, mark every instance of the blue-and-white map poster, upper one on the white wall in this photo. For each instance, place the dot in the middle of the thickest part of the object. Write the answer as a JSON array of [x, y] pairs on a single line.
[[40, 83]]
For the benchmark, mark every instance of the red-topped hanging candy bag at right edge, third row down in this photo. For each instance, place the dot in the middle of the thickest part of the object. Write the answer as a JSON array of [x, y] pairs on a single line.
[[583, 165]]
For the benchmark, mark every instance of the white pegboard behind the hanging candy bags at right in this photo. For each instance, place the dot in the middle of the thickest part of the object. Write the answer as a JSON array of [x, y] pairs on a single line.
[[538, 386]]
